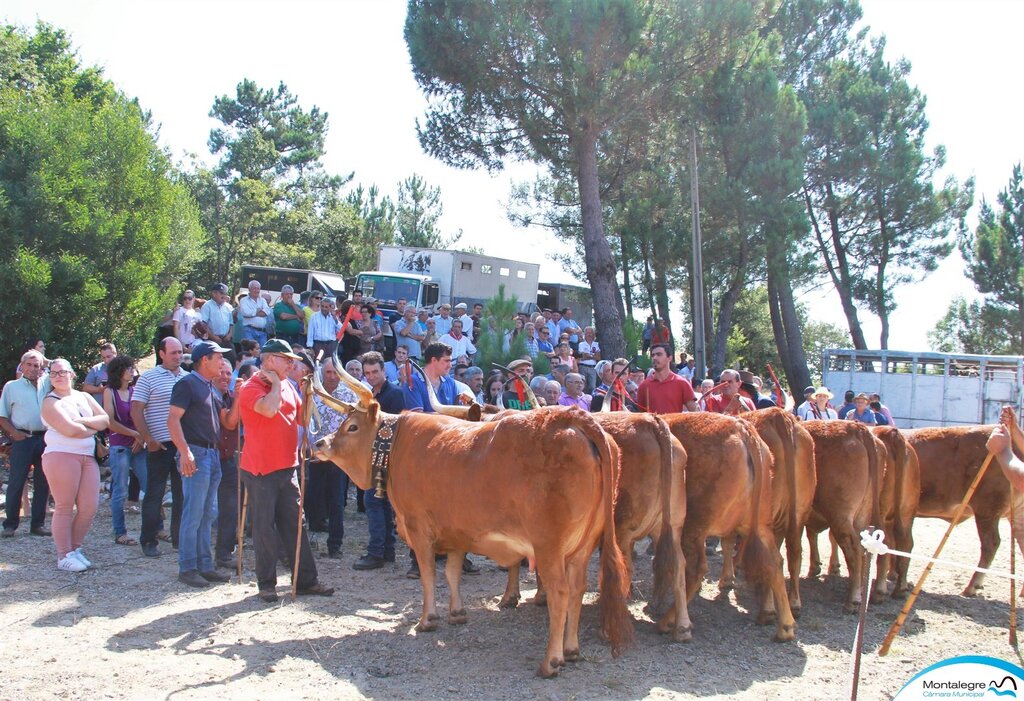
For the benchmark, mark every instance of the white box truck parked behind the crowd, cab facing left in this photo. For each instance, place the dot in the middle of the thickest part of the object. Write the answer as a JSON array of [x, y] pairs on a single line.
[[431, 278]]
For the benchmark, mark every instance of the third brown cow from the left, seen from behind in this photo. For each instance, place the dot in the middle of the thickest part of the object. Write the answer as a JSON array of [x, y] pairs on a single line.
[[729, 491]]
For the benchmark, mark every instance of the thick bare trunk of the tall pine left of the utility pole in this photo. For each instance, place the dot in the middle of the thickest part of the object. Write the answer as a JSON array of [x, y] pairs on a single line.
[[599, 256]]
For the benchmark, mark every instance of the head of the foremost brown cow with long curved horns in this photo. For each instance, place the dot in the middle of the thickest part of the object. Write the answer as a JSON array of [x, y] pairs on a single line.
[[351, 448]]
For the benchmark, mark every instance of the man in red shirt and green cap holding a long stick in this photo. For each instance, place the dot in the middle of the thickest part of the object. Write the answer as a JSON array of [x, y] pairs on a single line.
[[271, 411]]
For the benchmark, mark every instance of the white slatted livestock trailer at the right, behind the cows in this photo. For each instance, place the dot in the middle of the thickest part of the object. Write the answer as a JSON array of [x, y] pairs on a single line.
[[929, 389]]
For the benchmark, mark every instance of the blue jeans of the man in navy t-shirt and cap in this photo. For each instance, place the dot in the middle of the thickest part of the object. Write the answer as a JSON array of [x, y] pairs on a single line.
[[199, 511]]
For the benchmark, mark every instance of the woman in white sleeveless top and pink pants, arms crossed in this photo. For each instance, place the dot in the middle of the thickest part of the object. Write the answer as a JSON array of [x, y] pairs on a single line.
[[72, 420]]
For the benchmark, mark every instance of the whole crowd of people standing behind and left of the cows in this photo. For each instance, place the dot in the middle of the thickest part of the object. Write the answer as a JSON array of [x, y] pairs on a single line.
[[234, 422]]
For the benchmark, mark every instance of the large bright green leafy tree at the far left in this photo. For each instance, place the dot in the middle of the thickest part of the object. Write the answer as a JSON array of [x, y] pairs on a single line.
[[93, 218]]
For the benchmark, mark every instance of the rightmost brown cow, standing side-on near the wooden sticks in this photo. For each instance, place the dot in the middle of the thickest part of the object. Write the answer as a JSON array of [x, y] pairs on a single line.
[[951, 458]]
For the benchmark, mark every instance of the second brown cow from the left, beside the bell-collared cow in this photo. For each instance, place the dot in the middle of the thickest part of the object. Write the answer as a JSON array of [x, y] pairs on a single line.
[[651, 500]]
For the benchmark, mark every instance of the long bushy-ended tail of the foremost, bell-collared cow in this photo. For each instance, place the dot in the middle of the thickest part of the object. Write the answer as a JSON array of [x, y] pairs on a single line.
[[617, 624]]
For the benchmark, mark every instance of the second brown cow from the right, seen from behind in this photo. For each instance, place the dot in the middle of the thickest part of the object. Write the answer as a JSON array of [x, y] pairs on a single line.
[[901, 495]]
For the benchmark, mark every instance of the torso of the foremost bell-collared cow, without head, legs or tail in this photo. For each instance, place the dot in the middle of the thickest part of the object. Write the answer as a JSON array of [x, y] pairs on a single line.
[[498, 489]]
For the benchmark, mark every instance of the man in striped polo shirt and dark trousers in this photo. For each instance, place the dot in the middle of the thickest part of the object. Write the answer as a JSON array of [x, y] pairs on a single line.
[[150, 406]]
